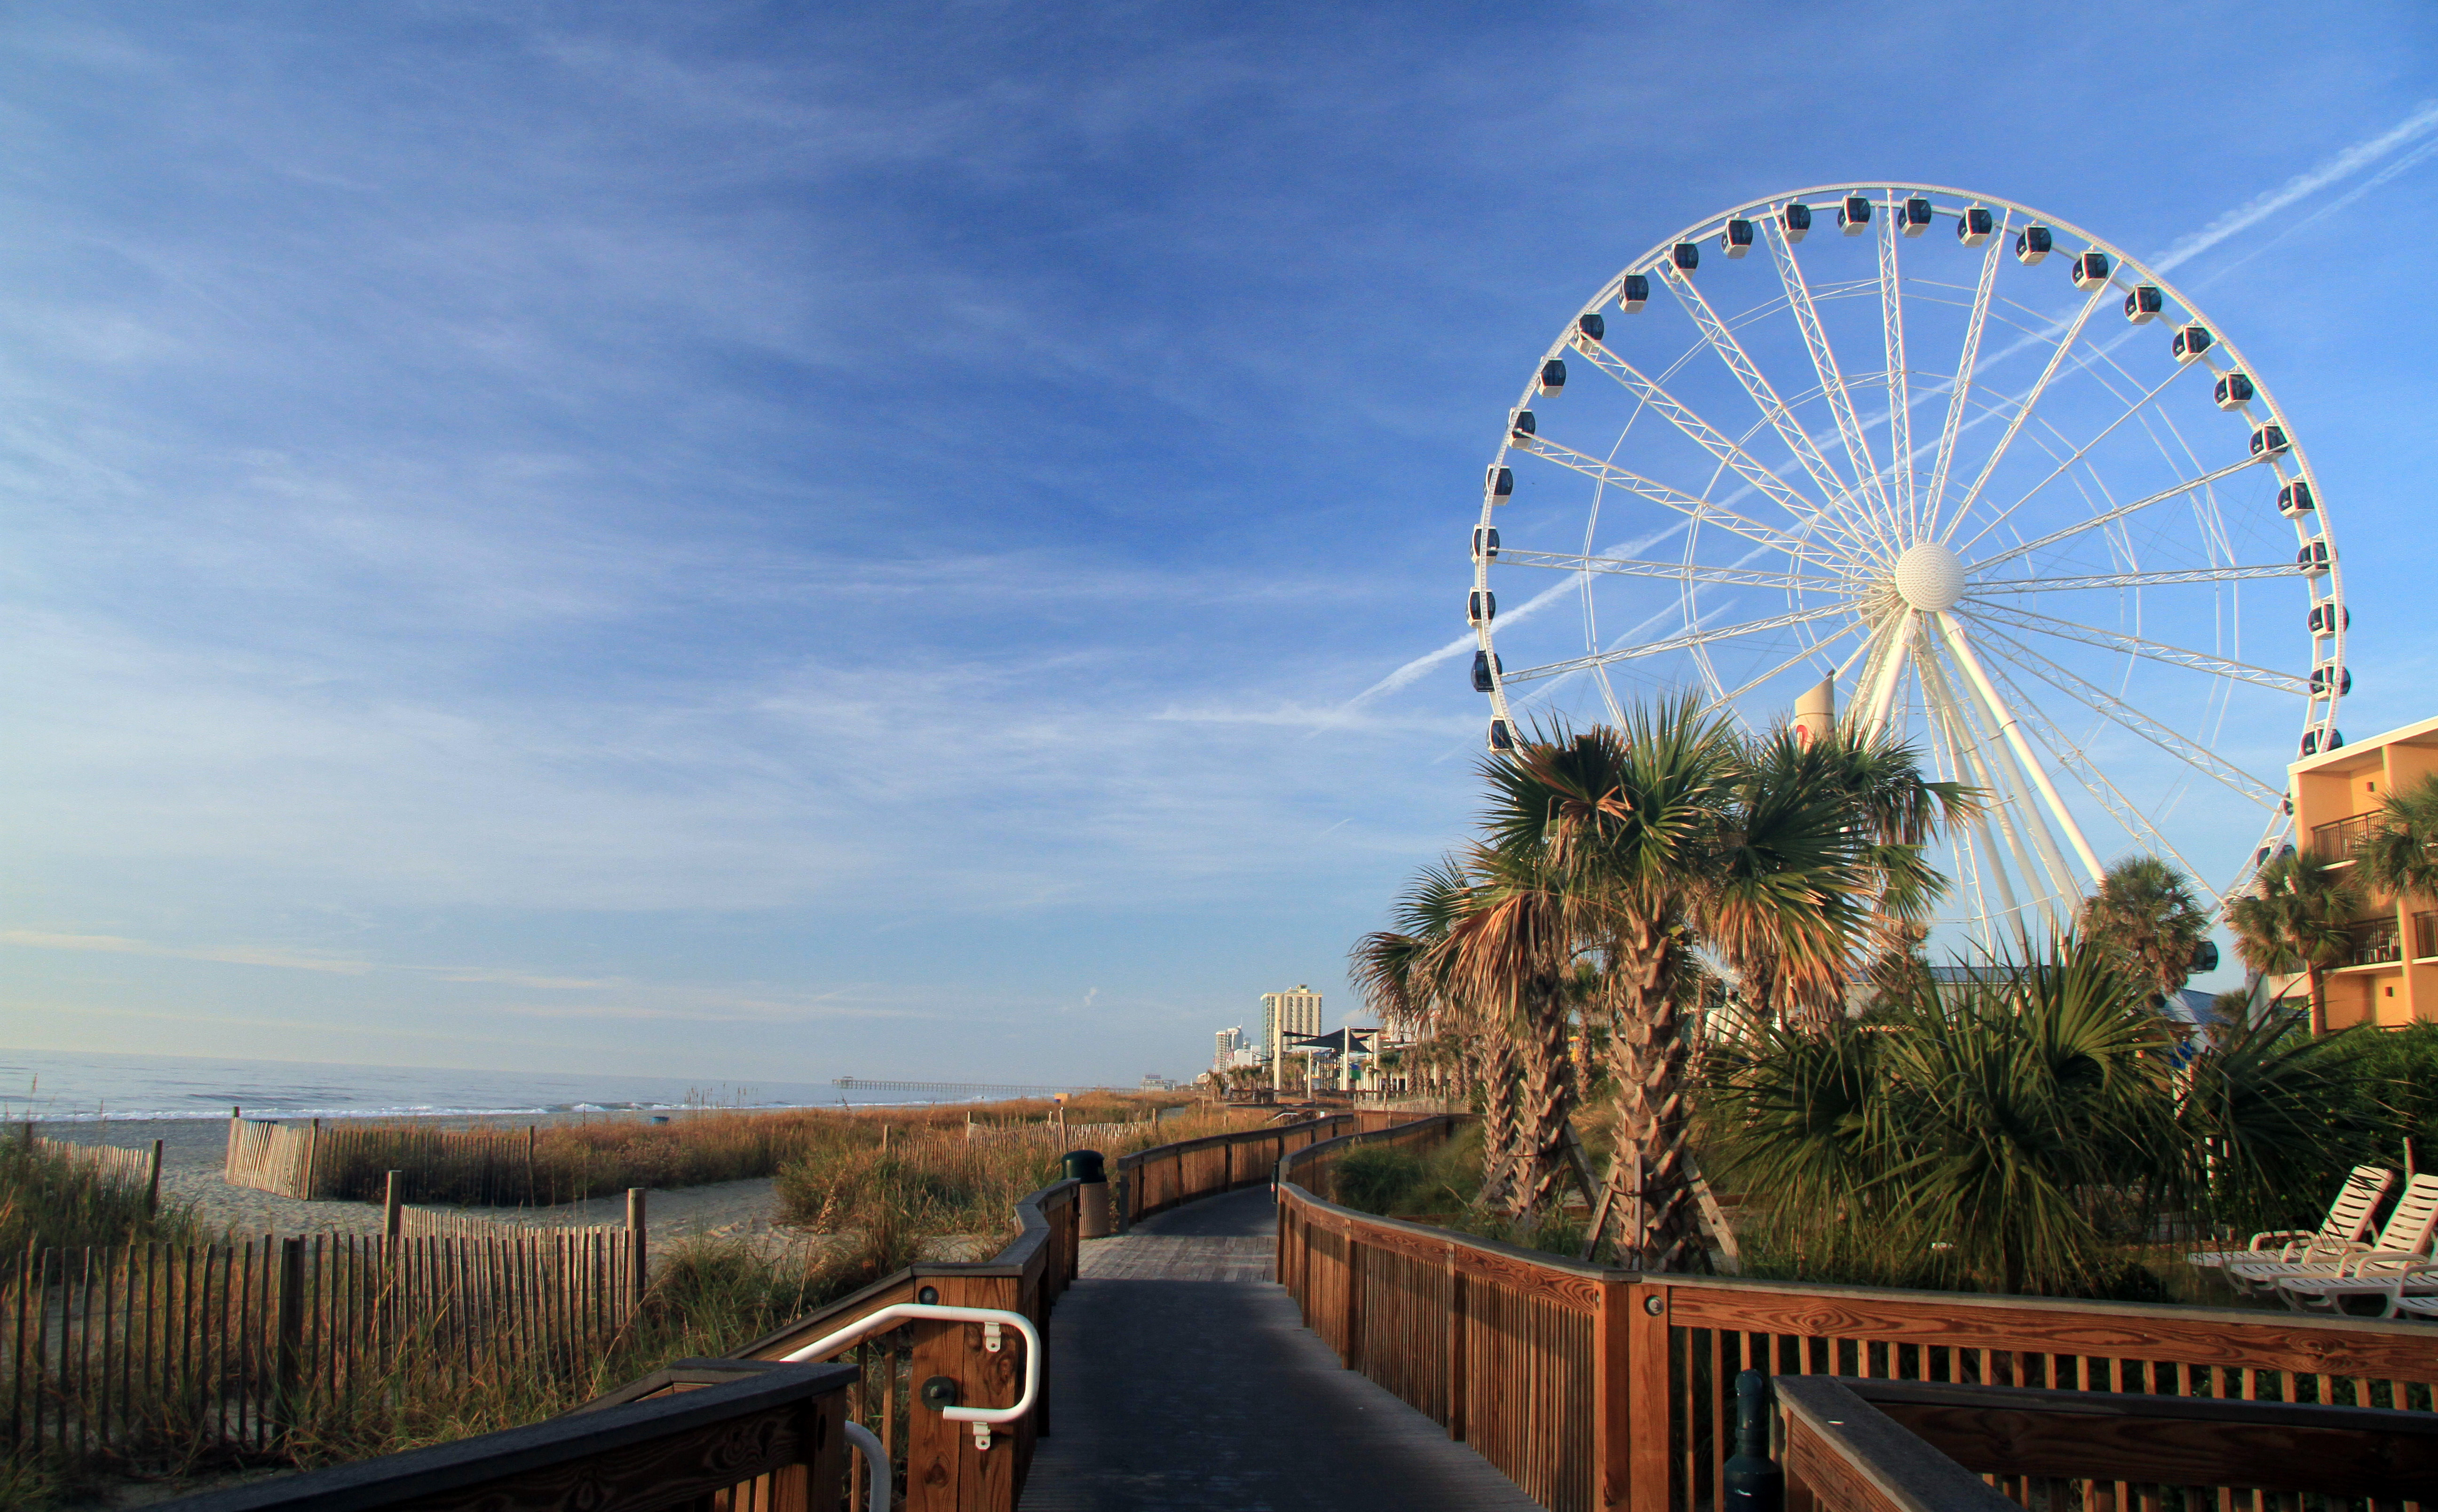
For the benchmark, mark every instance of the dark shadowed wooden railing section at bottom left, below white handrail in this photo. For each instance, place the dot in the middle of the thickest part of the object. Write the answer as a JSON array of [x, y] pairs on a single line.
[[723, 1440]]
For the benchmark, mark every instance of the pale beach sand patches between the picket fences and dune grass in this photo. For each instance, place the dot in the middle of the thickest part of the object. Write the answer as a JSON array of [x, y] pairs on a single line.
[[194, 1152]]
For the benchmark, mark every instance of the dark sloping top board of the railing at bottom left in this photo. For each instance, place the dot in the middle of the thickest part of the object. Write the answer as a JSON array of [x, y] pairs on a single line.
[[447, 1469]]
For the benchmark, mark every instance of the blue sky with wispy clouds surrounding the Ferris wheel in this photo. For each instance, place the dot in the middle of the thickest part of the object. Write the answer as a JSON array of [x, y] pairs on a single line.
[[847, 540]]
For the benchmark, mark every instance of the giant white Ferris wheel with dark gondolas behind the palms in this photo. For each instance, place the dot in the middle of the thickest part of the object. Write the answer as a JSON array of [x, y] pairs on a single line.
[[1947, 467]]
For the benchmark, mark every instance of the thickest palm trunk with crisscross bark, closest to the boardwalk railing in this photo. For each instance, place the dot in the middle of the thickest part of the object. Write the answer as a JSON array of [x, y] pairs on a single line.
[[1654, 1113]]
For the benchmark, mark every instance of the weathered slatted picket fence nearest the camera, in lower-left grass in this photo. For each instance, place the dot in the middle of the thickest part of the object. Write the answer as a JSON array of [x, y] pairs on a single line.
[[152, 1350]]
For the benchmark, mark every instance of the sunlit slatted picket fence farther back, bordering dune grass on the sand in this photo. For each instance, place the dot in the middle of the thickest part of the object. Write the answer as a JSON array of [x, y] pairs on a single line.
[[352, 1160]]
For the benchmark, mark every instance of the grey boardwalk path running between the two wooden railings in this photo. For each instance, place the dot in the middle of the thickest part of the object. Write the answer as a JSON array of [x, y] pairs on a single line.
[[1184, 1379]]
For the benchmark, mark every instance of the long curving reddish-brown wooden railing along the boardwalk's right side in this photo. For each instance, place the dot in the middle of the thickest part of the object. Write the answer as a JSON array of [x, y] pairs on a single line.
[[1615, 1389]]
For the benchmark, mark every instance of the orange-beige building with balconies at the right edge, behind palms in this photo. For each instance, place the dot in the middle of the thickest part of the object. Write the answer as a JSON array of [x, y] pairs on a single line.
[[2393, 977]]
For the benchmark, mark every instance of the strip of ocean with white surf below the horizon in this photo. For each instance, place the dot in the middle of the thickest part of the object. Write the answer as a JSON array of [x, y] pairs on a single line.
[[91, 1086]]
